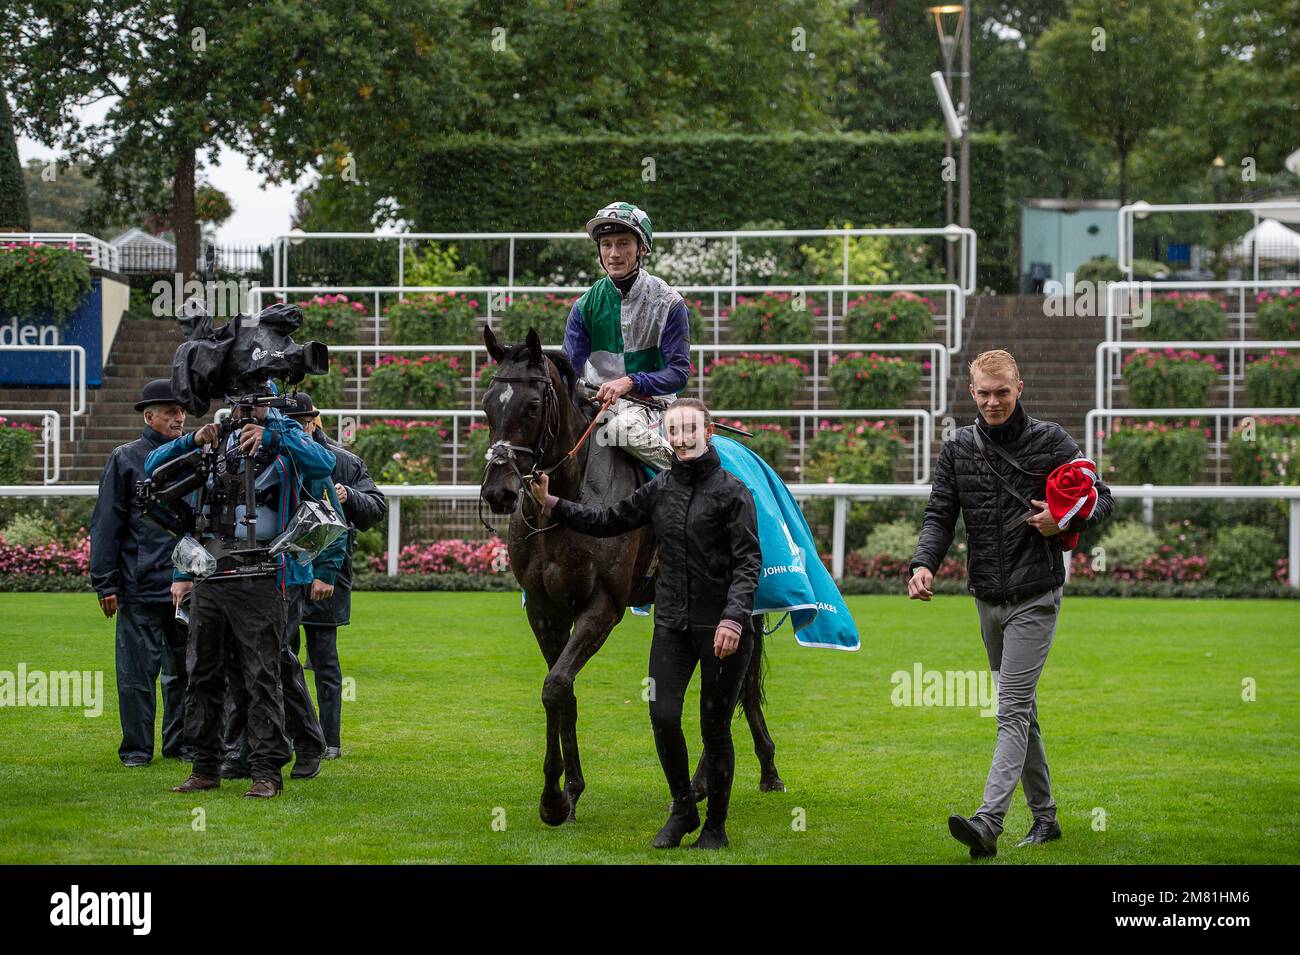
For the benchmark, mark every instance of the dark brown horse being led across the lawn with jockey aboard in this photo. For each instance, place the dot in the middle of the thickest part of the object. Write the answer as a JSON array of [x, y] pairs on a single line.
[[577, 588]]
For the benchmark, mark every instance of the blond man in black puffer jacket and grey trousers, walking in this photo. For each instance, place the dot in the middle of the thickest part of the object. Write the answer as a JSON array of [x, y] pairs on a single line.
[[990, 472]]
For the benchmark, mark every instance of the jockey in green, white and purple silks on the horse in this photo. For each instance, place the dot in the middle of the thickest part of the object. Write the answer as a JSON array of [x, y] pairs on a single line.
[[630, 335]]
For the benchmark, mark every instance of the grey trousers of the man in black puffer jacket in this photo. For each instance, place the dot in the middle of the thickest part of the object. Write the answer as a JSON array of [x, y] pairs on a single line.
[[1019, 637]]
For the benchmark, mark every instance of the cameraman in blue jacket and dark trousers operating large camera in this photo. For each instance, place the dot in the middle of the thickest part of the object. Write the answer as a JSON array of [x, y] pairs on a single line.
[[249, 614]]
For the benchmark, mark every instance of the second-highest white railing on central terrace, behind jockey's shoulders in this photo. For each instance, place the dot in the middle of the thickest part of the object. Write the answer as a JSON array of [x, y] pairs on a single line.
[[950, 322]]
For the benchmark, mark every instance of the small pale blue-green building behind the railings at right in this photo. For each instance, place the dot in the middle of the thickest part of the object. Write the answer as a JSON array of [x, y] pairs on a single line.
[[1059, 236]]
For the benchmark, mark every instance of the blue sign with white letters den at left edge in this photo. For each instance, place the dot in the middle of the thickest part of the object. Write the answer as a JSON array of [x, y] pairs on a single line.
[[85, 328]]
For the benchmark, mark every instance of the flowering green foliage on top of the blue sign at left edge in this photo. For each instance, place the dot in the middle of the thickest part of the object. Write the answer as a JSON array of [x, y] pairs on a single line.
[[38, 281]]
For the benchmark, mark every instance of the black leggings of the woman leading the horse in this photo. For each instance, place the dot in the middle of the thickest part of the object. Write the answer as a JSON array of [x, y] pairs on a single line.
[[674, 656]]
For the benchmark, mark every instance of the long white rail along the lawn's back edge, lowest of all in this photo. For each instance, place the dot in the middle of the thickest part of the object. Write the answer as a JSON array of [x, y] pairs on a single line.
[[842, 494]]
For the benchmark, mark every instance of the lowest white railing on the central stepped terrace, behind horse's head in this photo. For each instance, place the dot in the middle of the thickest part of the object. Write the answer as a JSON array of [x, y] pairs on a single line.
[[924, 427]]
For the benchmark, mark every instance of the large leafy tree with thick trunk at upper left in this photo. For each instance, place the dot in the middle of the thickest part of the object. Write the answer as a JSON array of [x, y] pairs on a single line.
[[288, 84]]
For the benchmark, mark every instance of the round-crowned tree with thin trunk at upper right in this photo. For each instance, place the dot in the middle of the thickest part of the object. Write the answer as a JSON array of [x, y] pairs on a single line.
[[1116, 70]]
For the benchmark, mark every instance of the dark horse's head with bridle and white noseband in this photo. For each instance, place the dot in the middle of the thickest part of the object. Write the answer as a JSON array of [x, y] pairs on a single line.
[[523, 409]]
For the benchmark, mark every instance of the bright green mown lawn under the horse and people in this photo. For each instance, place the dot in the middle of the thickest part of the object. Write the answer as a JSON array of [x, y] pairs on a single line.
[[1142, 710]]
